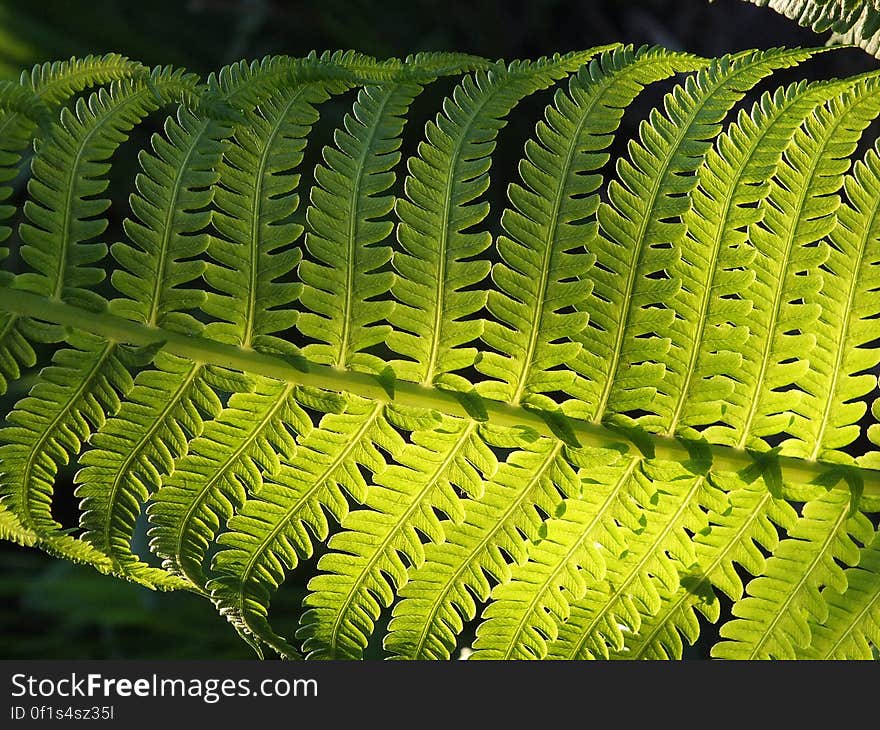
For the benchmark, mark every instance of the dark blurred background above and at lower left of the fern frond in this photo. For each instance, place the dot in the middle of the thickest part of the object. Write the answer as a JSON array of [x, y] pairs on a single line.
[[53, 609]]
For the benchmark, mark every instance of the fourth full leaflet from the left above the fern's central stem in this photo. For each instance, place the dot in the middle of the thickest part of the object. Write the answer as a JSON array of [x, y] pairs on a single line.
[[347, 219]]
